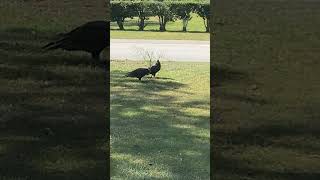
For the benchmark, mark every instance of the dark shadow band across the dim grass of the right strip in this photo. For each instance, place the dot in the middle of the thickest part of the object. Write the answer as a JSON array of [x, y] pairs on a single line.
[[276, 135]]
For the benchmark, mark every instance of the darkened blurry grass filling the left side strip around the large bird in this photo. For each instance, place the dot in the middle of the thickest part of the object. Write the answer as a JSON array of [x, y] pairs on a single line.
[[52, 105]]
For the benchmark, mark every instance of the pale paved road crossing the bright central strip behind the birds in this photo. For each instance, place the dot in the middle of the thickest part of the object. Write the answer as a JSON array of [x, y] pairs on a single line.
[[172, 50]]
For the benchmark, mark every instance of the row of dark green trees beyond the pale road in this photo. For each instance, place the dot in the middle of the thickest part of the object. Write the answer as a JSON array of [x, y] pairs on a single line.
[[165, 11]]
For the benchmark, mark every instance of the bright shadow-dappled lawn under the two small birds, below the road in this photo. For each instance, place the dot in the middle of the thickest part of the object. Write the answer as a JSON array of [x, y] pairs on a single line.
[[160, 127]]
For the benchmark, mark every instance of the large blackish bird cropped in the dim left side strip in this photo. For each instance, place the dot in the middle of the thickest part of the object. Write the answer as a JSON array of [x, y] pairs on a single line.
[[91, 37]]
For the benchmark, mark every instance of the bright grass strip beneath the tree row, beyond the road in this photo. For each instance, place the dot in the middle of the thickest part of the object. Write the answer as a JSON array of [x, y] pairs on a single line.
[[196, 30]]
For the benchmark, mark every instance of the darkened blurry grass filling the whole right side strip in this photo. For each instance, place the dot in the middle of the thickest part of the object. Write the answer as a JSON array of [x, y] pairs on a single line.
[[266, 90]]
